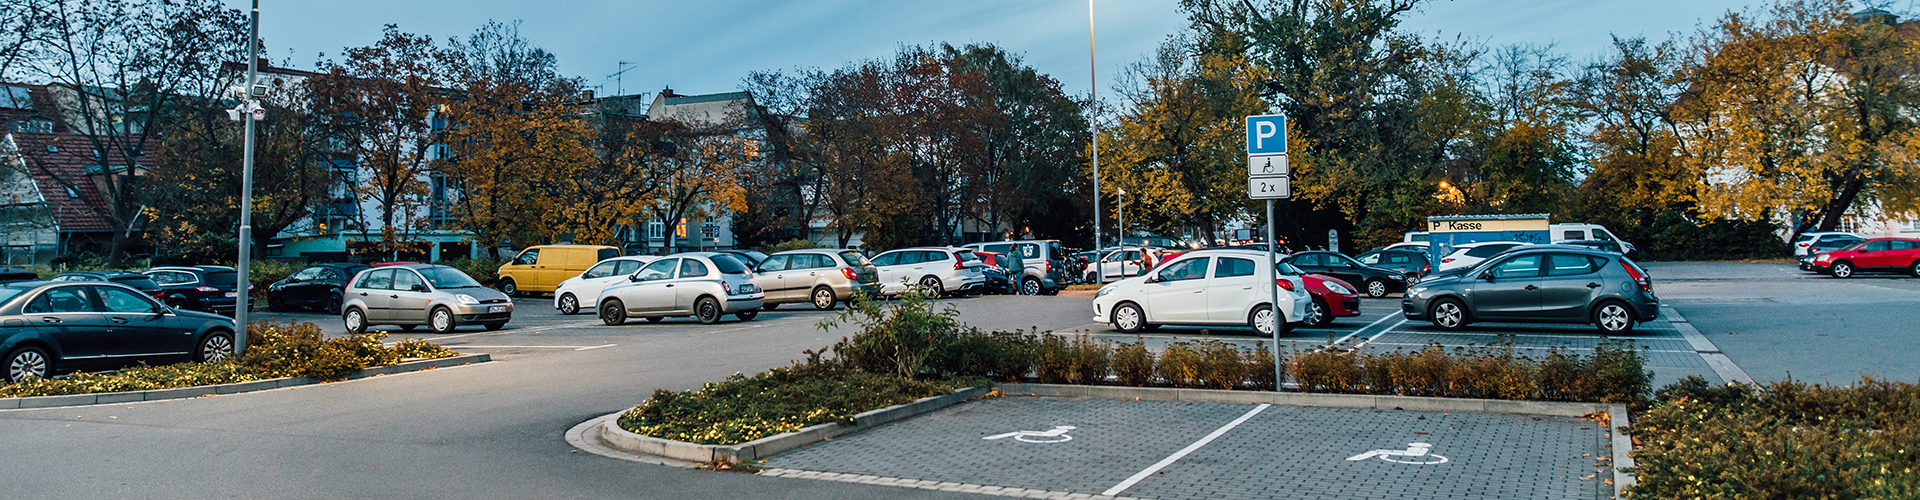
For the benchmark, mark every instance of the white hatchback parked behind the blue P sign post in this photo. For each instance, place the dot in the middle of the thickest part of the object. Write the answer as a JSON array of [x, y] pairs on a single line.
[[1205, 287]]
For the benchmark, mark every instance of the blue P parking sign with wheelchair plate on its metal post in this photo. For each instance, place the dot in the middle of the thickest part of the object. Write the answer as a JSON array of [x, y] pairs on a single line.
[[1266, 180]]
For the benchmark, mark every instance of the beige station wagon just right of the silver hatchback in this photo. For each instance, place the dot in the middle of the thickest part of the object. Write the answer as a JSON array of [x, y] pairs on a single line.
[[821, 278]]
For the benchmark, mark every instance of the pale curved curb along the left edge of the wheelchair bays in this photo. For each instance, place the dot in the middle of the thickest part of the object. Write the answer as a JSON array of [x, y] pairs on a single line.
[[635, 443]]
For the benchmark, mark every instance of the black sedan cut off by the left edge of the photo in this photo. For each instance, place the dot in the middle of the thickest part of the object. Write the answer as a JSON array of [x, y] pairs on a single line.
[[51, 328]]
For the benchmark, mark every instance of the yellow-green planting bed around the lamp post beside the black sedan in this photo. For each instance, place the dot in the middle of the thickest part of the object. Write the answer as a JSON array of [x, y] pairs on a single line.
[[274, 351]]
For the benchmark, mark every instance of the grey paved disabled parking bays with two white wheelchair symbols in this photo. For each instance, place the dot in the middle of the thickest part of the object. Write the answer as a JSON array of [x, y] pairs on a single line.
[[1280, 453]]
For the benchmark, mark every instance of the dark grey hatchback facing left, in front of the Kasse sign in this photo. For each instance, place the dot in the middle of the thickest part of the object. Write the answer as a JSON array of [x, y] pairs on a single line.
[[1541, 286]]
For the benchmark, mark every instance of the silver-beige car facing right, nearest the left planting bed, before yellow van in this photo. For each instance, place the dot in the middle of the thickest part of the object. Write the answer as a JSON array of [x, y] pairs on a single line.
[[414, 295]]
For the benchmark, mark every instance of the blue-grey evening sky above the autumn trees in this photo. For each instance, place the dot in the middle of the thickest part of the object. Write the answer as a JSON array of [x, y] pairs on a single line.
[[709, 47]]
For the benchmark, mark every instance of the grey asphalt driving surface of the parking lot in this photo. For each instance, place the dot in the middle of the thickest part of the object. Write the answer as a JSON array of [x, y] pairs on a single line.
[[498, 430]]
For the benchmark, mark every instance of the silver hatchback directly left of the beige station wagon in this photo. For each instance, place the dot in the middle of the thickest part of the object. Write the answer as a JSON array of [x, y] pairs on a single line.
[[706, 286]]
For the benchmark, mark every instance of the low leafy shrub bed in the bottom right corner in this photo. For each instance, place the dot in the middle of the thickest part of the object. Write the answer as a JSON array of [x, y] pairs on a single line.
[[1779, 441]]
